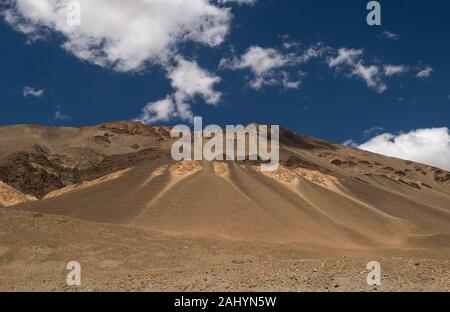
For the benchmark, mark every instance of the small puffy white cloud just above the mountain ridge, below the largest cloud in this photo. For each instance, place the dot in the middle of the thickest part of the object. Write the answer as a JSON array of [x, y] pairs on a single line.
[[188, 81]]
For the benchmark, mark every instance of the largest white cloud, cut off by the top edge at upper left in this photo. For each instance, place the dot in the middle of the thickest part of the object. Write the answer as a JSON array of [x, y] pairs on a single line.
[[123, 35]]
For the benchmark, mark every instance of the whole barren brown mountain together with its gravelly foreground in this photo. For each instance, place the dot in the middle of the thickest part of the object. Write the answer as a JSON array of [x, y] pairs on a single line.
[[111, 197]]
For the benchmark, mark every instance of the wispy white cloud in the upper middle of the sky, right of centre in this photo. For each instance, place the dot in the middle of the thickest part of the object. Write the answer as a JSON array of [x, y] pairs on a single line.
[[267, 65]]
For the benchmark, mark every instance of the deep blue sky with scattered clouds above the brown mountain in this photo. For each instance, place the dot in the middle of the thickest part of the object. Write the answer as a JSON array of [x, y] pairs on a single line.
[[43, 83]]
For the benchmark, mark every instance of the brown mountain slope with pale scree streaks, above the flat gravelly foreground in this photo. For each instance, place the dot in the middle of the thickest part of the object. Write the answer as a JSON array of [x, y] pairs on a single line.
[[321, 195]]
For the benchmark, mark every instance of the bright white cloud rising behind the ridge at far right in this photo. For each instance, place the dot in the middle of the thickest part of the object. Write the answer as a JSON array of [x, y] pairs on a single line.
[[428, 146]]
